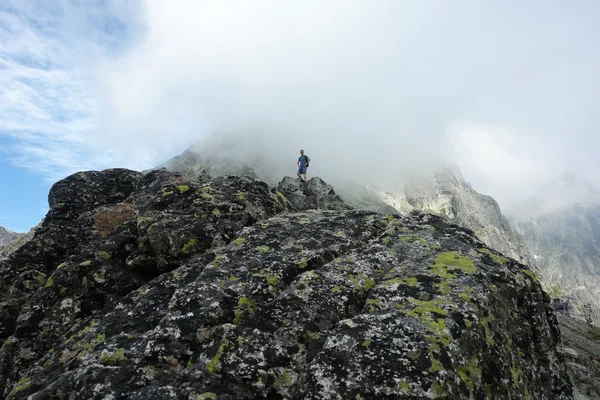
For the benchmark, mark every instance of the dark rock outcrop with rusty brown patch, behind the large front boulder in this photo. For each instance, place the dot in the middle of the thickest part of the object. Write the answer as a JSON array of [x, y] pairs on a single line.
[[108, 233]]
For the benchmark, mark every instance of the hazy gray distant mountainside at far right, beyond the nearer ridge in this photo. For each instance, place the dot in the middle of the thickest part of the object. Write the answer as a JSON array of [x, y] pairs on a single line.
[[566, 245]]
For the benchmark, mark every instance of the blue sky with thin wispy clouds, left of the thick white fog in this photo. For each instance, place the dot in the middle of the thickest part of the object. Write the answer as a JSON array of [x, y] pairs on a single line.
[[46, 105]]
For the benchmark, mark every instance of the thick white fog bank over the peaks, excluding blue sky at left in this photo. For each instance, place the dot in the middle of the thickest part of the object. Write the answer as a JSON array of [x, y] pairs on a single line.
[[506, 90]]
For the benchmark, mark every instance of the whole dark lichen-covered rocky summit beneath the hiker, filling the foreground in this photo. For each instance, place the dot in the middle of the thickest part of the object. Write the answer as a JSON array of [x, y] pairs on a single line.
[[158, 286]]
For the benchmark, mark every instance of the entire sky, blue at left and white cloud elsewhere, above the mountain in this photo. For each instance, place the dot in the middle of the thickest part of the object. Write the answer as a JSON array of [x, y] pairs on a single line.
[[507, 89]]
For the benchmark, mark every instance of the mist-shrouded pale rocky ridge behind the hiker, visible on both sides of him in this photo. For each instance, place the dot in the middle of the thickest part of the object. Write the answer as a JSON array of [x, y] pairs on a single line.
[[441, 191]]
